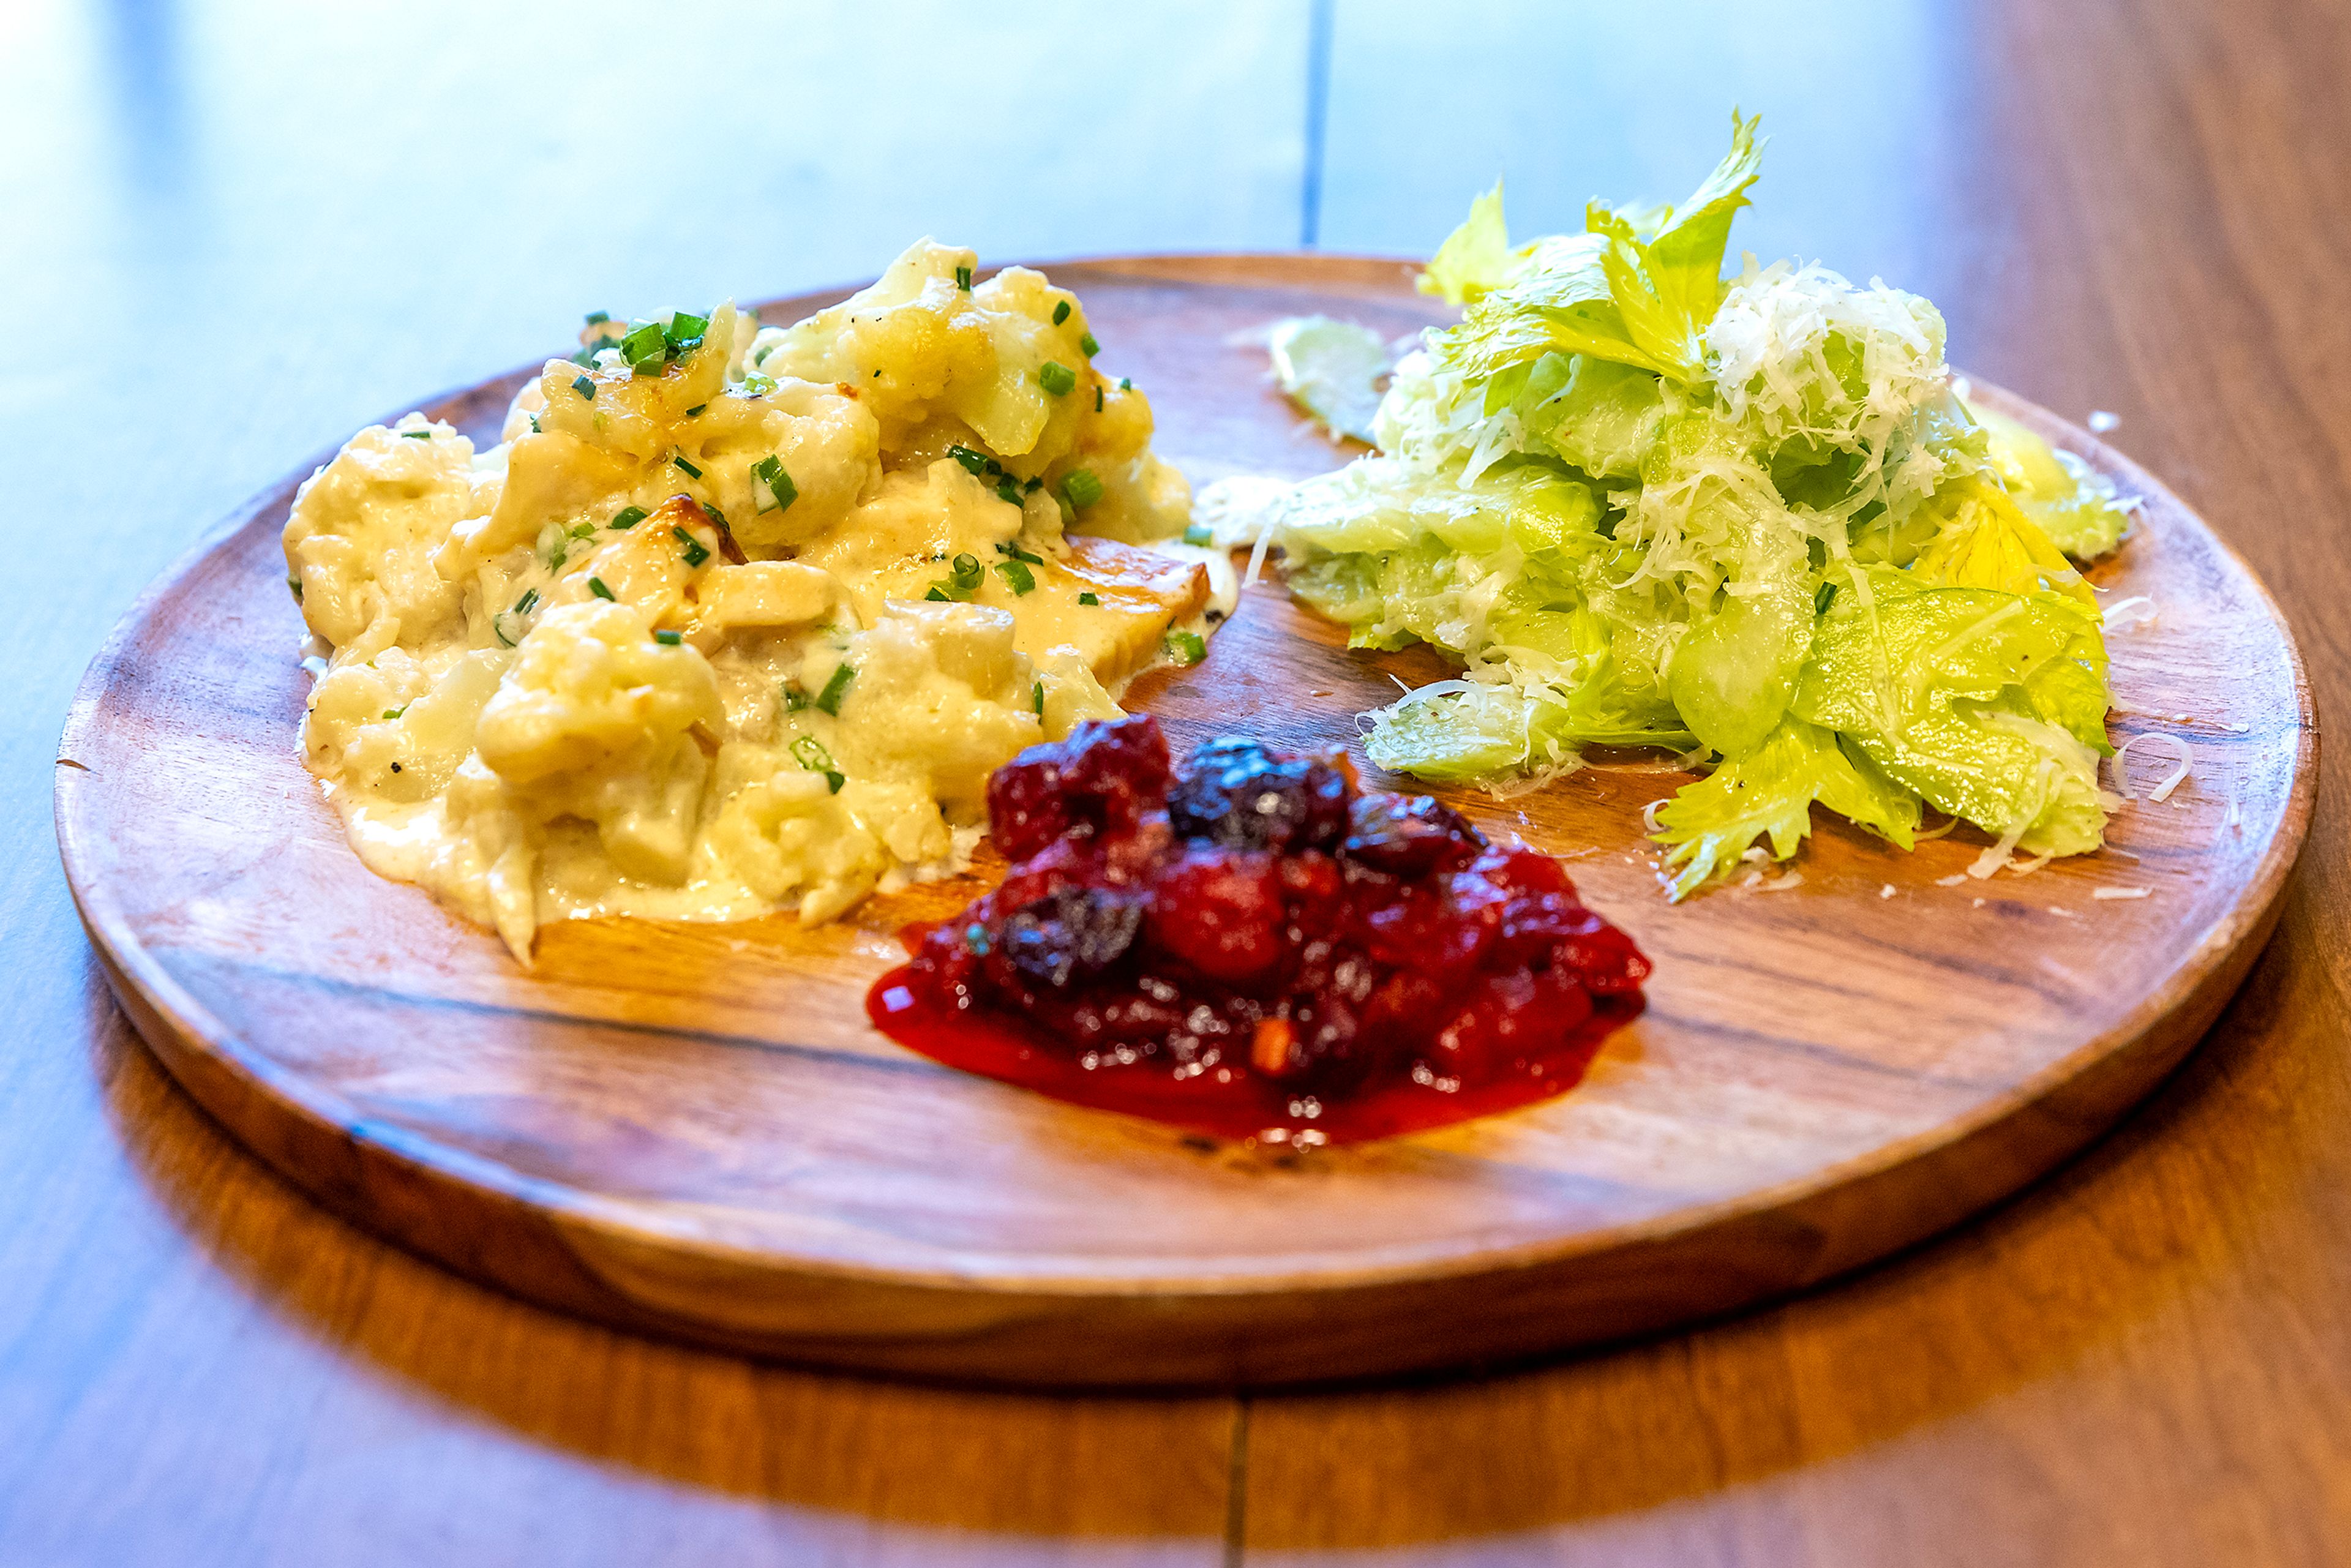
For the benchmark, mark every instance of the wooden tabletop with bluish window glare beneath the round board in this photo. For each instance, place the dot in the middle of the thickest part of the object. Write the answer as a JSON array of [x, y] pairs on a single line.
[[232, 236]]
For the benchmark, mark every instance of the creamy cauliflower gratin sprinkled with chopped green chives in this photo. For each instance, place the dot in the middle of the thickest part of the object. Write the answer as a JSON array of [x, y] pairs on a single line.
[[739, 617]]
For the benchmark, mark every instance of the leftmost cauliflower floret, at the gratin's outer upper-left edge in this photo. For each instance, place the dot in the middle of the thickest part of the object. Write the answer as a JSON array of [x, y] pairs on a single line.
[[366, 528]]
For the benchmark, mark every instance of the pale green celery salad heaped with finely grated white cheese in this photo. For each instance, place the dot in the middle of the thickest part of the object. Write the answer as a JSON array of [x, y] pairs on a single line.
[[1746, 518]]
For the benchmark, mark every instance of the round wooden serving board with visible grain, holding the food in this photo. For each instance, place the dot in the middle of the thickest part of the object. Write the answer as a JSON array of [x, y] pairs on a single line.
[[695, 1132]]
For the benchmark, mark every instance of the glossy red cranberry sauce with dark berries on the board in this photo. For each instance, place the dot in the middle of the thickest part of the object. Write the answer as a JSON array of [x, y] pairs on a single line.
[[1254, 949]]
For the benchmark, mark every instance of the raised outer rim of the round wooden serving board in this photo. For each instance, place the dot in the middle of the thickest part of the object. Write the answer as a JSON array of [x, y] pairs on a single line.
[[2070, 1101]]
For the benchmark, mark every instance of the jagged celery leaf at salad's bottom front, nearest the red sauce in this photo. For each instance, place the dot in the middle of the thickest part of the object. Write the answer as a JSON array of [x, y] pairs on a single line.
[[1769, 793]]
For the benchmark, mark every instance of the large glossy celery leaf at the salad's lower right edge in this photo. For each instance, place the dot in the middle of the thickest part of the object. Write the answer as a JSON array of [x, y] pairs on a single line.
[[1948, 688]]
